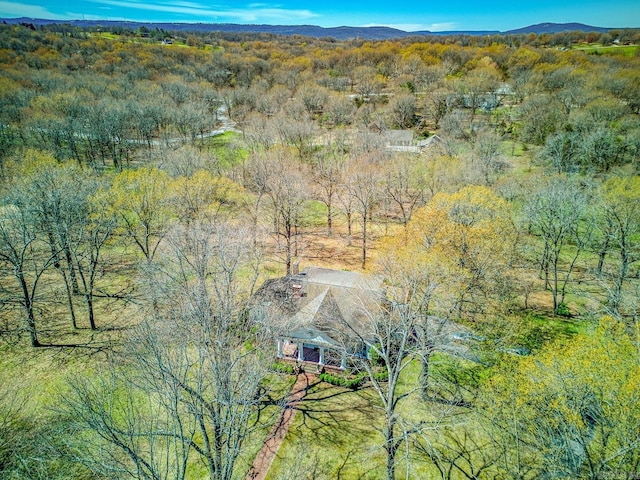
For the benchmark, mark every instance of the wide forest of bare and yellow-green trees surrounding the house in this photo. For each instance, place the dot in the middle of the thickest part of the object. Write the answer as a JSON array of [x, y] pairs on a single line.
[[152, 181]]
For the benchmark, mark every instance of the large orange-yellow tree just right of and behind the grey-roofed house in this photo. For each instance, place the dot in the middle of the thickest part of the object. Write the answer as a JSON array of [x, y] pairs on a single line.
[[461, 243]]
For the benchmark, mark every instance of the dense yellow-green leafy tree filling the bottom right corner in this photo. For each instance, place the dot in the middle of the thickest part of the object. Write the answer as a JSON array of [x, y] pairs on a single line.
[[574, 407]]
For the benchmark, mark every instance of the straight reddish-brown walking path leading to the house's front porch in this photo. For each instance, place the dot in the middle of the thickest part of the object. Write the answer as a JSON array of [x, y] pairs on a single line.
[[273, 441]]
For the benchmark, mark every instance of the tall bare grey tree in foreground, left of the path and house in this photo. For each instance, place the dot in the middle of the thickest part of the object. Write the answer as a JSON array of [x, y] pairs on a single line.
[[191, 382]]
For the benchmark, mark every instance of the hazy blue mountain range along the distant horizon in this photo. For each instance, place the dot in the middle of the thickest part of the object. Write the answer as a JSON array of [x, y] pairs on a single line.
[[339, 33]]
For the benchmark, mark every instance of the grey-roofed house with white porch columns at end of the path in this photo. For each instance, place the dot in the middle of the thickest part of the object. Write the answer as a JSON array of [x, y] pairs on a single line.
[[319, 316]]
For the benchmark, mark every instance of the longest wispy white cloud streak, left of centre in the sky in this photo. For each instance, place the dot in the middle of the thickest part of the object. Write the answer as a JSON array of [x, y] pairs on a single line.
[[197, 11]]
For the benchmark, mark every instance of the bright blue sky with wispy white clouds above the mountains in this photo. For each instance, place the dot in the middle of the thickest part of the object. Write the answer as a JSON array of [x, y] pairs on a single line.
[[408, 15]]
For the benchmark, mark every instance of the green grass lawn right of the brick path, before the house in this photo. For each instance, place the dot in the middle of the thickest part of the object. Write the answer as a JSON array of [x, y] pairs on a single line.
[[336, 433]]
